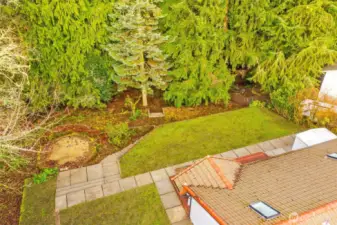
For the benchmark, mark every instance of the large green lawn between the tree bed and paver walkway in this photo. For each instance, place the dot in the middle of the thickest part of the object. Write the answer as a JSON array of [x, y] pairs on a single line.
[[192, 139]]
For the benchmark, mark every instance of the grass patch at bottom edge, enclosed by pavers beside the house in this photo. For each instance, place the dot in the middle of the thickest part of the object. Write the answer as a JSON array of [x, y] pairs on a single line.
[[140, 206]]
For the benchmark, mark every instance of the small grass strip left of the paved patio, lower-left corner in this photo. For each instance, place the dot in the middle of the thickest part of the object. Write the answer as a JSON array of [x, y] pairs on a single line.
[[38, 203]]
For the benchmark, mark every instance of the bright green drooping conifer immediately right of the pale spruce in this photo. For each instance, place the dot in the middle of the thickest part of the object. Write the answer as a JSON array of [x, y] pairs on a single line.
[[199, 68]]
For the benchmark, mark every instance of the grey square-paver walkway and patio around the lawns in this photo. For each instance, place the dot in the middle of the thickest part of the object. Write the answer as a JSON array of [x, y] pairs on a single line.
[[92, 182]]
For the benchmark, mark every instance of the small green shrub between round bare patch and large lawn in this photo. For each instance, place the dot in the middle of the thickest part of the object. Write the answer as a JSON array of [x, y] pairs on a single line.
[[118, 134]]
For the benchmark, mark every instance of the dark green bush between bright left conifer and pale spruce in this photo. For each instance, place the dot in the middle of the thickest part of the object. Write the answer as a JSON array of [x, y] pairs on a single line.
[[101, 75]]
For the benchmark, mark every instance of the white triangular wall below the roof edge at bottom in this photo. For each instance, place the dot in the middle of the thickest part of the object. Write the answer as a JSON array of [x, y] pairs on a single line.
[[199, 216]]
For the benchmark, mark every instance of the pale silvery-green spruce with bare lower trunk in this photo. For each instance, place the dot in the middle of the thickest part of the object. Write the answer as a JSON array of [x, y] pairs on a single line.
[[134, 46]]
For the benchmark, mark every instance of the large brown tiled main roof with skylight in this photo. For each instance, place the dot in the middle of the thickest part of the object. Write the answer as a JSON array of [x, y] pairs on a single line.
[[295, 182]]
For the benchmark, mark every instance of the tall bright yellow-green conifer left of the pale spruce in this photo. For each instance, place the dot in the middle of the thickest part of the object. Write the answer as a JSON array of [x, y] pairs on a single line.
[[62, 33]]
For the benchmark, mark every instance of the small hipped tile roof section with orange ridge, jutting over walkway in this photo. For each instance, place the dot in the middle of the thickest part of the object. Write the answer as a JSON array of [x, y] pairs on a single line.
[[211, 171]]
